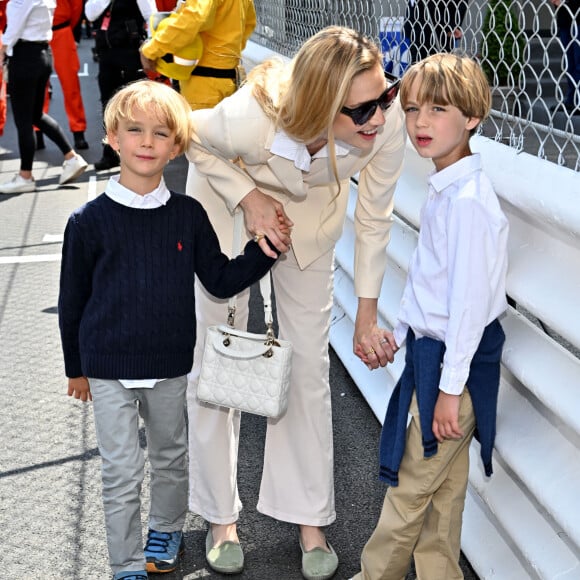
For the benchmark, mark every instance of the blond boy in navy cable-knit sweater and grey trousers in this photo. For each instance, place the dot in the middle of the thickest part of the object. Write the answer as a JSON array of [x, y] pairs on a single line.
[[127, 320]]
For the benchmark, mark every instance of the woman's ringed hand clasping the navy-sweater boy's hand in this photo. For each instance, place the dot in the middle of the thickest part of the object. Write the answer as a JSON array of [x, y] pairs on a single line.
[[265, 216]]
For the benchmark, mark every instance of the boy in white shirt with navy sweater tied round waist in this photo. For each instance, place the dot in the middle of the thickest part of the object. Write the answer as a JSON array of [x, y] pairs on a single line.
[[454, 294]]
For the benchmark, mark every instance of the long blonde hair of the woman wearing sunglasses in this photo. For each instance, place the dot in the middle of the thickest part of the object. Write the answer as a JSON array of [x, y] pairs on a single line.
[[305, 97]]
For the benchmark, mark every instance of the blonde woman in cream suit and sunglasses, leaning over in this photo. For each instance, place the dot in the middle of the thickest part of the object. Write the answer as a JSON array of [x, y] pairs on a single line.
[[299, 132]]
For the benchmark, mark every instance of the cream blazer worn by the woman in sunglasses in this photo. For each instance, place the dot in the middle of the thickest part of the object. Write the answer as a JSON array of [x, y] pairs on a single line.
[[237, 129]]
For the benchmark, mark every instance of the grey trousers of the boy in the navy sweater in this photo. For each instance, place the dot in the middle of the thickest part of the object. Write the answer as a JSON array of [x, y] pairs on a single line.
[[117, 411]]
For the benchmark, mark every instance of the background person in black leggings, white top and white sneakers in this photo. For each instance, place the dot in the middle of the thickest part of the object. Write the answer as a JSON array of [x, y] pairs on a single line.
[[26, 39]]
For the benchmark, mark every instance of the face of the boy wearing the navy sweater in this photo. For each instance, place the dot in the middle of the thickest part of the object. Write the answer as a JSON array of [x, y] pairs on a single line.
[[145, 146]]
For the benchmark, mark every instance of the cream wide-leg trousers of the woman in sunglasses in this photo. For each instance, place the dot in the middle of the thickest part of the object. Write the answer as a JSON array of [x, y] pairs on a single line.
[[297, 480]]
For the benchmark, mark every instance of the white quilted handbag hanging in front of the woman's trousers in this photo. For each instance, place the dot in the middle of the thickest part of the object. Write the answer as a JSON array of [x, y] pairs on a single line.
[[245, 371]]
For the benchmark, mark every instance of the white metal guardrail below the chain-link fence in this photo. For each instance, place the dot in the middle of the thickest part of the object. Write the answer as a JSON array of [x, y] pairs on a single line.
[[524, 522]]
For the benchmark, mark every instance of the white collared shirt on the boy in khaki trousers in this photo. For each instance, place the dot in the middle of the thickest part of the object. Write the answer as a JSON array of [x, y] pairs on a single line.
[[456, 281]]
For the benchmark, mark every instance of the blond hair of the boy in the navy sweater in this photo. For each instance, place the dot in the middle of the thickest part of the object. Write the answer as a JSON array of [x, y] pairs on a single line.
[[157, 100]]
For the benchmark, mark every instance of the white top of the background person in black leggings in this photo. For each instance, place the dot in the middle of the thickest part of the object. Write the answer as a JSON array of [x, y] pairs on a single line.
[[29, 20]]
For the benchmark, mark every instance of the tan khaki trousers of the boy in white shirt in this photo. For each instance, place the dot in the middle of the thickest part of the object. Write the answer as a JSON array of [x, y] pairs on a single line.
[[422, 515]]
